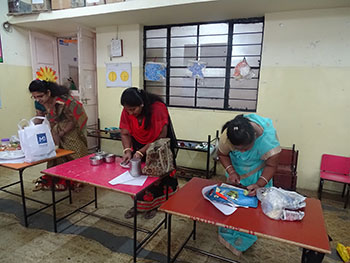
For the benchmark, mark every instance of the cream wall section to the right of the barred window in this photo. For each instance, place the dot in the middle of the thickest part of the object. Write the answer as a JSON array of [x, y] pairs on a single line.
[[304, 86]]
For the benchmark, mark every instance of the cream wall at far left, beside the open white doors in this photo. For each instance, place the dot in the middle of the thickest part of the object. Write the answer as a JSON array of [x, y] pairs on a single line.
[[15, 75]]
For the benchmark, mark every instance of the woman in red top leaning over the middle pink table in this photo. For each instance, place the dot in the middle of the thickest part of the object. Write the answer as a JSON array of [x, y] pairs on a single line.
[[145, 119]]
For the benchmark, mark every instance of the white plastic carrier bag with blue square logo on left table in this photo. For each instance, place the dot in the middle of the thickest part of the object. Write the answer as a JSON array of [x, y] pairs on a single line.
[[36, 140]]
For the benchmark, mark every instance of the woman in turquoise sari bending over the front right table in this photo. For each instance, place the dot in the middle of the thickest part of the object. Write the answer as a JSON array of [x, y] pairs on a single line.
[[249, 151]]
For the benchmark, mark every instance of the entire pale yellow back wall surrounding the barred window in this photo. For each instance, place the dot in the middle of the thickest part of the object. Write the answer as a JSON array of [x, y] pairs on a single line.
[[303, 89]]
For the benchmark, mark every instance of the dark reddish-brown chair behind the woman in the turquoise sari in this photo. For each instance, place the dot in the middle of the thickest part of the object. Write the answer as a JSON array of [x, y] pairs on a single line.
[[286, 173]]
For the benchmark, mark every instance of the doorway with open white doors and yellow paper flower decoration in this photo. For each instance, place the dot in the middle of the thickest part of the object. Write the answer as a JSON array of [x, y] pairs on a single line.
[[71, 61]]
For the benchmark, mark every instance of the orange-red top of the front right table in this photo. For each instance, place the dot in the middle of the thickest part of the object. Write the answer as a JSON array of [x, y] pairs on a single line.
[[310, 233]]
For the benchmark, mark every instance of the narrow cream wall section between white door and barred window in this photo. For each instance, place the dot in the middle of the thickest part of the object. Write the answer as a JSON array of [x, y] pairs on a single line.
[[109, 98]]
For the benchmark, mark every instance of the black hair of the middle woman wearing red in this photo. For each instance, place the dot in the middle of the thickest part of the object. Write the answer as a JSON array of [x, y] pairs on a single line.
[[134, 97]]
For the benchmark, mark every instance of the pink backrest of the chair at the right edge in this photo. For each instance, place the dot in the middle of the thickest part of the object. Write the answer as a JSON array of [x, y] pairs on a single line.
[[335, 164]]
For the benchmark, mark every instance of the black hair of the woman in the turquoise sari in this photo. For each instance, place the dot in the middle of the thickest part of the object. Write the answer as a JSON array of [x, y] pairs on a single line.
[[239, 131]]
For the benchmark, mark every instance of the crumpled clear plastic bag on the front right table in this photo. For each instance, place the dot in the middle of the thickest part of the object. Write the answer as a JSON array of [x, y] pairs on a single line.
[[280, 204]]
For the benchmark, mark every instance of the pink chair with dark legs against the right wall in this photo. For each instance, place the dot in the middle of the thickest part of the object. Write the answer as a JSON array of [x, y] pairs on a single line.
[[337, 169]]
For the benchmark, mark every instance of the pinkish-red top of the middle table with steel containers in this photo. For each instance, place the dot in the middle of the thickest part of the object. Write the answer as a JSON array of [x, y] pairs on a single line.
[[80, 170]]
